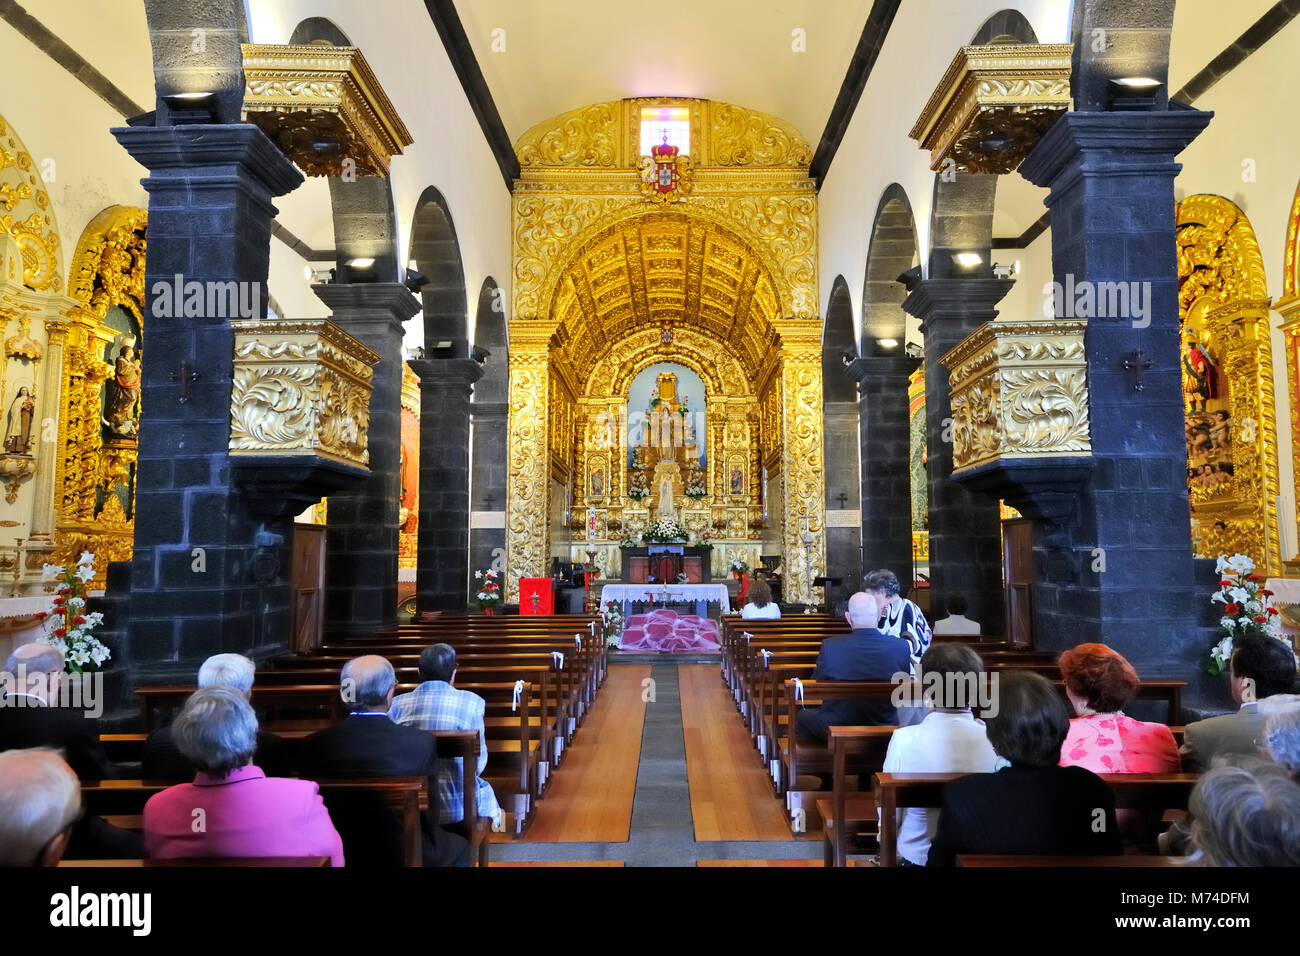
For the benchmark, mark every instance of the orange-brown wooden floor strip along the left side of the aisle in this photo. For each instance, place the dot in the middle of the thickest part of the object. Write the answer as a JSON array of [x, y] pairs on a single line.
[[591, 797]]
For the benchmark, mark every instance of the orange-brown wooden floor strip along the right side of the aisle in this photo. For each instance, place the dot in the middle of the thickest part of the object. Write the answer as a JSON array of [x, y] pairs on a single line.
[[731, 794]]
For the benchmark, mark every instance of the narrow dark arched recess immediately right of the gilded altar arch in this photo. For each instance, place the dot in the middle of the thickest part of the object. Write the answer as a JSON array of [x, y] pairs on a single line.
[[842, 438]]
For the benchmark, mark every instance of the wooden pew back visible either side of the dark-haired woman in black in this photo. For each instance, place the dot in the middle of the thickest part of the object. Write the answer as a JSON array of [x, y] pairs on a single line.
[[1145, 793]]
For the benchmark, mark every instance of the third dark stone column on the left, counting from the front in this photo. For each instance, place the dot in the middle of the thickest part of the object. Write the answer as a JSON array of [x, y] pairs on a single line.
[[443, 548]]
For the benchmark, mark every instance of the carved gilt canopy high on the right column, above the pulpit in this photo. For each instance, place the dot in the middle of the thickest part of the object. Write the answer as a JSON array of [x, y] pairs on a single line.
[[994, 105]]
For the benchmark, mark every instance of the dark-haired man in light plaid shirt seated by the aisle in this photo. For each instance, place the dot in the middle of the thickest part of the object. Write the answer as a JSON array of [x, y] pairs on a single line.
[[437, 706]]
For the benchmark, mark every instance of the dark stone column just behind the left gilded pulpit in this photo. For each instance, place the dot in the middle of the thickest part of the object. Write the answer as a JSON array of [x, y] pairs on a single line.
[[362, 557]]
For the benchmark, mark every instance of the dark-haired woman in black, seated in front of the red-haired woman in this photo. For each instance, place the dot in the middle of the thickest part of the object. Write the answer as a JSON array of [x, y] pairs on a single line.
[[1033, 807]]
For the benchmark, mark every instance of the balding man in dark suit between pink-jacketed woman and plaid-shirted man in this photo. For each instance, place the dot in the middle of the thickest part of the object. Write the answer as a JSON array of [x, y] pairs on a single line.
[[369, 743]]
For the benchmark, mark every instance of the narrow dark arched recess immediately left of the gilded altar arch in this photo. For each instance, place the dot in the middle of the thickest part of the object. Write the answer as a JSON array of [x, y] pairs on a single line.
[[489, 432]]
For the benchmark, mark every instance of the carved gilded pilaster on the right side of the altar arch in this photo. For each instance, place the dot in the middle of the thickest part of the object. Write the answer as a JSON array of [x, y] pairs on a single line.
[[803, 456]]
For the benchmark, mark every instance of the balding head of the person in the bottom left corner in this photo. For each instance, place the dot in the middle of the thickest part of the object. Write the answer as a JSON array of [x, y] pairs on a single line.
[[40, 804]]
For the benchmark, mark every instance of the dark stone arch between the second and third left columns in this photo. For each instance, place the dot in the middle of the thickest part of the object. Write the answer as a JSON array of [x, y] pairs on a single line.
[[435, 252]]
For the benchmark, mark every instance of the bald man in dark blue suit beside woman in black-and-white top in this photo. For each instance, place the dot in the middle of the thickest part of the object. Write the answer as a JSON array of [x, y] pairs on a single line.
[[864, 655]]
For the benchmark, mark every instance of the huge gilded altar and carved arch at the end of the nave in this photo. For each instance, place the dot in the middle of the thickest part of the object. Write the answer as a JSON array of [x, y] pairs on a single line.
[[721, 279]]
